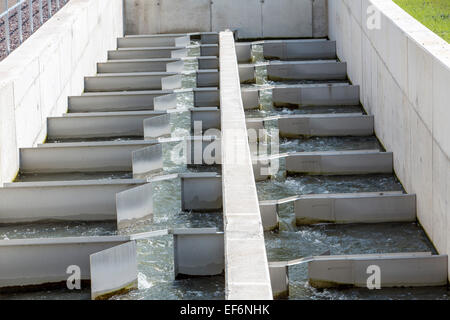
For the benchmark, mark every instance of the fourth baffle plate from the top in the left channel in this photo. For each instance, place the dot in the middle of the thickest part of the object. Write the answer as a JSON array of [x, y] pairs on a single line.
[[132, 81]]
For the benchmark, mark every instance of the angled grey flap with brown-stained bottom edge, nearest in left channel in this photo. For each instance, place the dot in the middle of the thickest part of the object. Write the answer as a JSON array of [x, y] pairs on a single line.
[[114, 271]]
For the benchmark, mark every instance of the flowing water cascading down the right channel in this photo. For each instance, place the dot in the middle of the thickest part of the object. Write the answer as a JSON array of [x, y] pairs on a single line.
[[293, 242]]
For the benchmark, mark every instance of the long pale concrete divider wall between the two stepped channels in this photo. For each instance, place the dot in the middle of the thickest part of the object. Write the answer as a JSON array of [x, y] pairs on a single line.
[[246, 267]]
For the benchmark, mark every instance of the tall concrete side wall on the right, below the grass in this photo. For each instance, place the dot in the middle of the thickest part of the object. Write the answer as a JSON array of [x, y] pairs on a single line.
[[403, 70]]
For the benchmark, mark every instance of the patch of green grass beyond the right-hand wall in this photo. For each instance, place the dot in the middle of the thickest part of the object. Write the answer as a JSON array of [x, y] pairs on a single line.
[[434, 14]]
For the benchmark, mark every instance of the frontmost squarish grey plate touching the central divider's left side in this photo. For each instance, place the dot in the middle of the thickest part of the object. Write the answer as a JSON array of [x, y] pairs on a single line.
[[198, 252]]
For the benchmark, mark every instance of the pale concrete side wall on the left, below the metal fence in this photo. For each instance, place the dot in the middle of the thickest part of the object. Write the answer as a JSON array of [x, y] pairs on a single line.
[[37, 78]]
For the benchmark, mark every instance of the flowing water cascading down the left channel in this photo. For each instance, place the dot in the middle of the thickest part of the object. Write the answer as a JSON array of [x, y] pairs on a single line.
[[155, 256]]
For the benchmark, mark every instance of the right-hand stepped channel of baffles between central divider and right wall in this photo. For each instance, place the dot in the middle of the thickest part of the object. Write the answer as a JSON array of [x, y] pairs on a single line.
[[321, 84]]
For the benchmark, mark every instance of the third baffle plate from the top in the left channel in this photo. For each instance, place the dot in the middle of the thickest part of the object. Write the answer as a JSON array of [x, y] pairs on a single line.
[[141, 65]]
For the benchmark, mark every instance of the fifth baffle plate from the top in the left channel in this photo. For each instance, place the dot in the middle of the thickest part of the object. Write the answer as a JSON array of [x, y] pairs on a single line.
[[123, 101]]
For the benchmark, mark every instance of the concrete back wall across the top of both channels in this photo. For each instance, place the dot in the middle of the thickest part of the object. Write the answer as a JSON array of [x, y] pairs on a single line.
[[252, 18]]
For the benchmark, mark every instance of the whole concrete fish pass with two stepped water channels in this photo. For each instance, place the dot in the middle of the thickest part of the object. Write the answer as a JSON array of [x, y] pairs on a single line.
[[161, 147]]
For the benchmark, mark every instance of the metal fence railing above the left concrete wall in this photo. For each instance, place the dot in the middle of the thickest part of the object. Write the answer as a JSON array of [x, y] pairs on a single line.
[[16, 10]]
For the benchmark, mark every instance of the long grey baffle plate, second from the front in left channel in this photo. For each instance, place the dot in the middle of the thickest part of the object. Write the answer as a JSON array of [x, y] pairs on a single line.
[[89, 200]]
